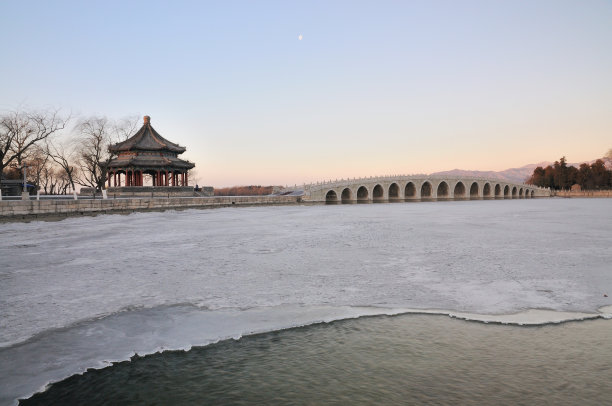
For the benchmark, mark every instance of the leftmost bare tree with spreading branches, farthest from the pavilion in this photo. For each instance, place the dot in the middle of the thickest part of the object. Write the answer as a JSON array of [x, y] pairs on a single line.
[[20, 131]]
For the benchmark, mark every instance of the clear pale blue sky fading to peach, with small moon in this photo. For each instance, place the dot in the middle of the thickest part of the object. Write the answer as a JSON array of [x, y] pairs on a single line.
[[287, 92]]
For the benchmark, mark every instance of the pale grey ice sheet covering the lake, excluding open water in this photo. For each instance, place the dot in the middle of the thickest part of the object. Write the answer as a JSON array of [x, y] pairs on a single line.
[[84, 291]]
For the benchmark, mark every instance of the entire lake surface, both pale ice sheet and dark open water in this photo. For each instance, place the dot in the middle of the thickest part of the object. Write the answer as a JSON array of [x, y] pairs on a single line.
[[88, 292]]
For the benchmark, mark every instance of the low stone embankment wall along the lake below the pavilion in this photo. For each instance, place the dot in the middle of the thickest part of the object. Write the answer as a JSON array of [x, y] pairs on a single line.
[[19, 210]]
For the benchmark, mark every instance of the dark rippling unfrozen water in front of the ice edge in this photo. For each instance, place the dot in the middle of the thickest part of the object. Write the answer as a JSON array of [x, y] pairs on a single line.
[[399, 360]]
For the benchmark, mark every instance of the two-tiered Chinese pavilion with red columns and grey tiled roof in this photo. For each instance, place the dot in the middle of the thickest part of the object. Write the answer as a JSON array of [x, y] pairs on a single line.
[[147, 153]]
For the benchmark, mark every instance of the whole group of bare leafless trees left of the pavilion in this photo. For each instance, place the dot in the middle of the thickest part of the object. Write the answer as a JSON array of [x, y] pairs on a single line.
[[59, 151]]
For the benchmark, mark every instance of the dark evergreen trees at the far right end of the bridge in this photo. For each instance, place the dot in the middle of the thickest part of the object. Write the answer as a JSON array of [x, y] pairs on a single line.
[[560, 175]]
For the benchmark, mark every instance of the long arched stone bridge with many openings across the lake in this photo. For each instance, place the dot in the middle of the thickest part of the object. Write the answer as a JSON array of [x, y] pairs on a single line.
[[418, 188]]
